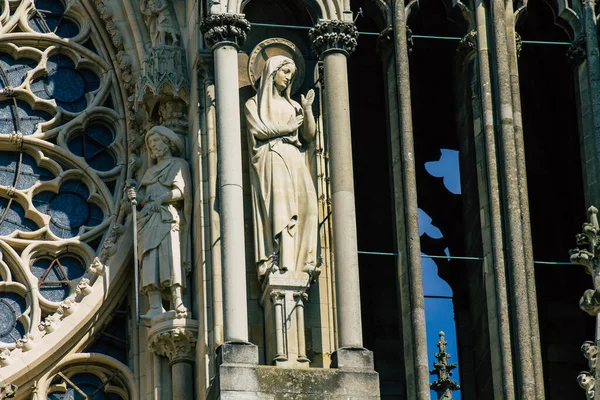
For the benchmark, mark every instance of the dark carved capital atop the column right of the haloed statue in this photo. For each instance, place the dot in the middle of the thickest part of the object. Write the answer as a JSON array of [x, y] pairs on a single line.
[[334, 35]]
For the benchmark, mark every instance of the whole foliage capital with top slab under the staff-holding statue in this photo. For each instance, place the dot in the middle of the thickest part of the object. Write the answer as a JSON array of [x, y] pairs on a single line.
[[174, 339]]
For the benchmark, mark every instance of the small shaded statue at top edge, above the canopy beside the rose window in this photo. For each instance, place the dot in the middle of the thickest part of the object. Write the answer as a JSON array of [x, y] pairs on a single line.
[[160, 22]]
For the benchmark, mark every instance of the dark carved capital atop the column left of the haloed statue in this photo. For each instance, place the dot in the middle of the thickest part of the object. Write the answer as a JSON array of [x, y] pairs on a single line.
[[225, 28]]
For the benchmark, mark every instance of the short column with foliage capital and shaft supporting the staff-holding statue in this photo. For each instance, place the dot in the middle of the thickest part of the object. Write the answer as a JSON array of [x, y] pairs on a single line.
[[176, 340]]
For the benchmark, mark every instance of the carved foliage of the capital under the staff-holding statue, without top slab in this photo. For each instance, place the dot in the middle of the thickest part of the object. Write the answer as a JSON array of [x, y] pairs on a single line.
[[178, 344]]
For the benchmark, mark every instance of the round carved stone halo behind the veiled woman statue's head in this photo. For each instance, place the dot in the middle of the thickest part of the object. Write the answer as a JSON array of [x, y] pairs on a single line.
[[275, 47]]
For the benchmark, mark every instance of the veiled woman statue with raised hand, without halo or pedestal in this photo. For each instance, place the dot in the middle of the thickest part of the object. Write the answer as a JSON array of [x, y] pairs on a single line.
[[283, 192]]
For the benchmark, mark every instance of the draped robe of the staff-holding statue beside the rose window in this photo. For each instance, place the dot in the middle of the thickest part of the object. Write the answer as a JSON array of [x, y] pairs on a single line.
[[164, 242]]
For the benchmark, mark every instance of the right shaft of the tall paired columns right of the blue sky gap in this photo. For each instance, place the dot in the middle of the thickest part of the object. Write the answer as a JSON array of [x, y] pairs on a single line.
[[516, 241]]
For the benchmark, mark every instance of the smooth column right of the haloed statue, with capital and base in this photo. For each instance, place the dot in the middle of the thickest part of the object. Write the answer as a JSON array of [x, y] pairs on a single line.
[[334, 41]]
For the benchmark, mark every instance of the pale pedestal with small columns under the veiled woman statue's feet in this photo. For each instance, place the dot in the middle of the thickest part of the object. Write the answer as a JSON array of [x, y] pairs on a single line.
[[284, 294]]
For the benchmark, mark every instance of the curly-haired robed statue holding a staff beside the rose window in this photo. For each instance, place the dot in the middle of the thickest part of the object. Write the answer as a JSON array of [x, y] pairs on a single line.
[[163, 223]]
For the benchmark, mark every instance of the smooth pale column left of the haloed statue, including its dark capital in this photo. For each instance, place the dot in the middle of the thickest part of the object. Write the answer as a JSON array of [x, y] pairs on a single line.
[[224, 34]]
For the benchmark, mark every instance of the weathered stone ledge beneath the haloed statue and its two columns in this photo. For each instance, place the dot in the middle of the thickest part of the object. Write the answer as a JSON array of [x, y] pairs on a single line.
[[267, 382]]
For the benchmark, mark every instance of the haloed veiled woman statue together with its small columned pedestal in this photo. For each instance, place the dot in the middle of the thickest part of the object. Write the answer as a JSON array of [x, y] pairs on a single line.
[[284, 198]]
